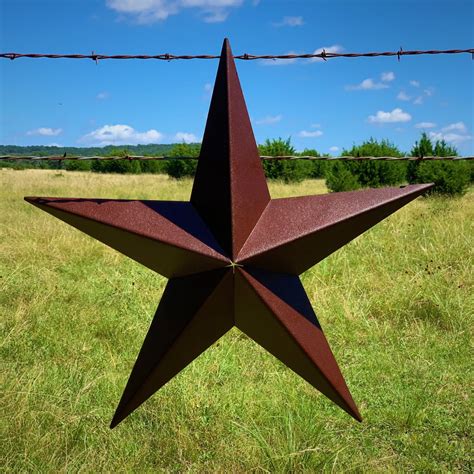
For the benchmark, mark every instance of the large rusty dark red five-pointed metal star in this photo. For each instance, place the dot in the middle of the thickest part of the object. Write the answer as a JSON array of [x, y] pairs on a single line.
[[232, 254]]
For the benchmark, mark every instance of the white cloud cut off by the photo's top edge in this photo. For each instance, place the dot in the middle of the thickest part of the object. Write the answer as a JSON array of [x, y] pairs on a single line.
[[150, 11]]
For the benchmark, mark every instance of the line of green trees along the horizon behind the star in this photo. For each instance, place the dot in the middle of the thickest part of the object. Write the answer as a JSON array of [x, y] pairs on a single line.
[[450, 177]]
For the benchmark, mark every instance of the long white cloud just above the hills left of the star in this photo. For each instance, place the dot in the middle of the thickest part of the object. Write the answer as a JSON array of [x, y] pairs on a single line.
[[121, 135]]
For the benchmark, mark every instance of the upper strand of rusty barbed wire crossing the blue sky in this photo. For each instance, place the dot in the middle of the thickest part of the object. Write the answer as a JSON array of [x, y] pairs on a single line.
[[324, 55]]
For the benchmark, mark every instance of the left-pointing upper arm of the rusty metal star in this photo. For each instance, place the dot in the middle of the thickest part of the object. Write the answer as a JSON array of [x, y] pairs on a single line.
[[168, 237]]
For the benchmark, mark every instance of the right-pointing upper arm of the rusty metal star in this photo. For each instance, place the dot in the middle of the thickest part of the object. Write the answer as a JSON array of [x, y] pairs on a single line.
[[294, 234]]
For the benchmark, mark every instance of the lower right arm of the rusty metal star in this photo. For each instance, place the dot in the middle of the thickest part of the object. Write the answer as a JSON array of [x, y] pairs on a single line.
[[275, 312]]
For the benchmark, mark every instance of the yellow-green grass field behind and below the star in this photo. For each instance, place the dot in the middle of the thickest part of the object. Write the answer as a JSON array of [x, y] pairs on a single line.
[[397, 306]]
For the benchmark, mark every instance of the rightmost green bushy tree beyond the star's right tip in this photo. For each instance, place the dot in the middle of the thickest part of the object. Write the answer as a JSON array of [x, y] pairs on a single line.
[[450, 177]]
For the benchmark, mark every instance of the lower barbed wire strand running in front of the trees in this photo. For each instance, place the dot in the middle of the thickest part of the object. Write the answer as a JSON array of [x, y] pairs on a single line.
[[263, 157]]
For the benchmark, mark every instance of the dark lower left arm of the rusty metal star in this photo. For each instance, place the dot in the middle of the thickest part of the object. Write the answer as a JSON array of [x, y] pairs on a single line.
[[193, 313]]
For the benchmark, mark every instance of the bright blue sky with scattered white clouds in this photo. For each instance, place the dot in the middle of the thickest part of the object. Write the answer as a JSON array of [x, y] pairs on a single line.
[[323, 105]]
